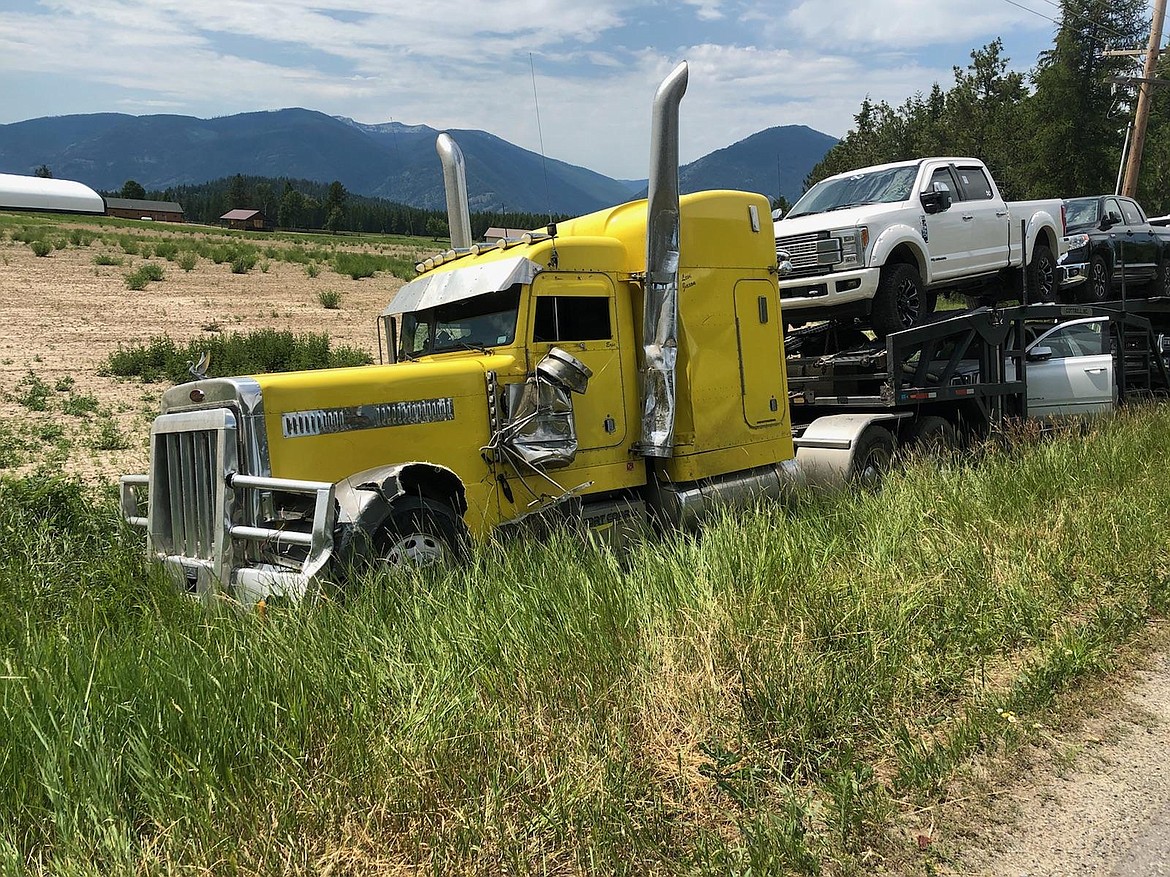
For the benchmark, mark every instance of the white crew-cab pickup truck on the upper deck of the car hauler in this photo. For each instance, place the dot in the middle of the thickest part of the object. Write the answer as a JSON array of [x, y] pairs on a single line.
[[882, 243]]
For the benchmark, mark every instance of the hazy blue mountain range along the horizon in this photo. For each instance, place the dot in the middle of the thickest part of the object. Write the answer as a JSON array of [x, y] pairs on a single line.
[[389, 161]]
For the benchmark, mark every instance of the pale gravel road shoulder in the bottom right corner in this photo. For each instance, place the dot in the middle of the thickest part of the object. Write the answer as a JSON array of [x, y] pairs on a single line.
[[1091, 800]]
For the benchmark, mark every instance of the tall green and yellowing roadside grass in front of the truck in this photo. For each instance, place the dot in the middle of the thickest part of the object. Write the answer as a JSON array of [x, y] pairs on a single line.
[[768, 699]]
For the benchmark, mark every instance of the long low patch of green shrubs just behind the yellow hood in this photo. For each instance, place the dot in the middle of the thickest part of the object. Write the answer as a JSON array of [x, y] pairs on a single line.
[[259, 353]]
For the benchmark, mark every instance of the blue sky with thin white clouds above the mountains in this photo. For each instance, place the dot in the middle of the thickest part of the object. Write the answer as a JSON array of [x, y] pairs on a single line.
[[457, 64]]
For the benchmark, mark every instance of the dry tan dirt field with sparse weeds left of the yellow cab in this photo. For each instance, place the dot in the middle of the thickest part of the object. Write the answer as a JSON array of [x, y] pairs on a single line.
[[64, 315]]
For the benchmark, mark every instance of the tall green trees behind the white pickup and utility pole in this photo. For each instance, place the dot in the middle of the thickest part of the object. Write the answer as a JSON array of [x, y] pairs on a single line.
[[1057, 132]]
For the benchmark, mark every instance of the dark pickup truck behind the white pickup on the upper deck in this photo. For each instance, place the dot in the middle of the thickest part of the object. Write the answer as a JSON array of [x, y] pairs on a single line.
[[1113, 250]]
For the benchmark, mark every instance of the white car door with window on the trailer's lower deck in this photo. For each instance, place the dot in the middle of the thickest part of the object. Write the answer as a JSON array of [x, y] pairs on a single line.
[[1076, 374]]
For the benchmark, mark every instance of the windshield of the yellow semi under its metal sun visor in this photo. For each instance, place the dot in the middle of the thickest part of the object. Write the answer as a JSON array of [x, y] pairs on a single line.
[[476, 323]]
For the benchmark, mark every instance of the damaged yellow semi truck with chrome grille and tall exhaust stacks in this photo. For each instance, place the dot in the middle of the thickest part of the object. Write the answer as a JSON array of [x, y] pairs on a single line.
[[615, 370]]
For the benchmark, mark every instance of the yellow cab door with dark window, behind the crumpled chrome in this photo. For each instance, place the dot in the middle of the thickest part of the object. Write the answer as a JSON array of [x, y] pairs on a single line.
[[577, 313]]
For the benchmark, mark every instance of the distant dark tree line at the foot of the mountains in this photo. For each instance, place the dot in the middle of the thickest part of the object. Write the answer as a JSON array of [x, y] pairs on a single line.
[[309, 205]]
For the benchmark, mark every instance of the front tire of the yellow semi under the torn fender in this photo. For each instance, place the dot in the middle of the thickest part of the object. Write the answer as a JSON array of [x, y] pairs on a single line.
[[421, 533]]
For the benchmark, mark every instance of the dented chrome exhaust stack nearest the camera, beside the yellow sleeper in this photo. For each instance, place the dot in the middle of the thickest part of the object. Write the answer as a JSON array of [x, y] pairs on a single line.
[[660, 309]]
